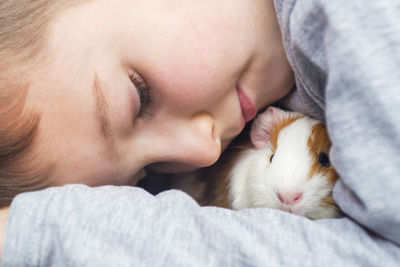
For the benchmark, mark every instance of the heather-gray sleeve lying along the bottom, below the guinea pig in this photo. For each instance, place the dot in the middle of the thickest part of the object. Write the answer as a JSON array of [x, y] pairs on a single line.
[[125, 226]]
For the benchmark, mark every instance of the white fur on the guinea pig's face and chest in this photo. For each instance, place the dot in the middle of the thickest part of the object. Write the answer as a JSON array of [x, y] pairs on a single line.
[[256, 182]]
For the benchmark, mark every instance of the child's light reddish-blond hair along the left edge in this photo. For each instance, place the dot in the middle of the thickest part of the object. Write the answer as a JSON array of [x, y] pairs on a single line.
[[23, 31]]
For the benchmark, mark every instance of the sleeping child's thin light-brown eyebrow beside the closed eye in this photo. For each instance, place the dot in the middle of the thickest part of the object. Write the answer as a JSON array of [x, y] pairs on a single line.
[[103, 116]]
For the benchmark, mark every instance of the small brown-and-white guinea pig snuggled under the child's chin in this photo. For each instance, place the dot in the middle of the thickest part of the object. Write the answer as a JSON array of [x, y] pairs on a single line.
[[282, 163]]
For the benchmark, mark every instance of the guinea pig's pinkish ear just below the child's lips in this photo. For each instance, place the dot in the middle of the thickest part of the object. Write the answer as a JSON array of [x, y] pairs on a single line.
[[262, 125]]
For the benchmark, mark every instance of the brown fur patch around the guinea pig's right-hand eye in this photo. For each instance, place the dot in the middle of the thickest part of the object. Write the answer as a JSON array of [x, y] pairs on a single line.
[[318, 143]]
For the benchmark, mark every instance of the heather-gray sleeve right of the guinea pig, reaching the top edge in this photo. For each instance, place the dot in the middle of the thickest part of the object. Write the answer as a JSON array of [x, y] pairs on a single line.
[[346, 56]]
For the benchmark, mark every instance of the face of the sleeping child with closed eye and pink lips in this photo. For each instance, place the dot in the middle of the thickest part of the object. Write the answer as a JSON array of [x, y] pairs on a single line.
[[156, 83]]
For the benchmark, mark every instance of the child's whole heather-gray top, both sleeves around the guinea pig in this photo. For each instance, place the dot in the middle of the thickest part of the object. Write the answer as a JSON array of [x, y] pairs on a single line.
[[346, 55]]
